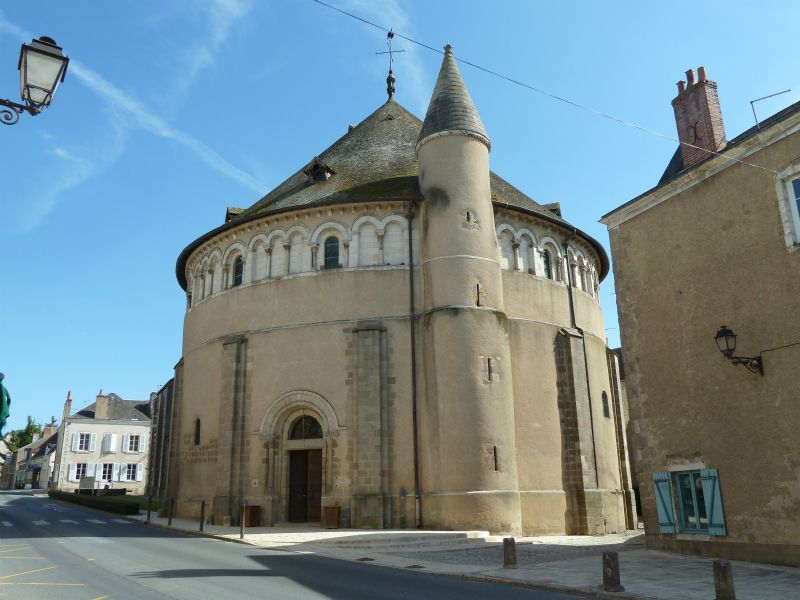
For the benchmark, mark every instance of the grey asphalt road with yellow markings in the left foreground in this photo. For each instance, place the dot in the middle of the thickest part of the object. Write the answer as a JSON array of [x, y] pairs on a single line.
[[52, 550]]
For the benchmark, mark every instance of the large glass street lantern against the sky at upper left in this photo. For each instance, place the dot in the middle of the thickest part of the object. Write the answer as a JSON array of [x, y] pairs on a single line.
[[42, 66]]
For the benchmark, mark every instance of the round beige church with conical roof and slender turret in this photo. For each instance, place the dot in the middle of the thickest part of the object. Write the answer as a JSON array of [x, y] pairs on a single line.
[[398, 332]]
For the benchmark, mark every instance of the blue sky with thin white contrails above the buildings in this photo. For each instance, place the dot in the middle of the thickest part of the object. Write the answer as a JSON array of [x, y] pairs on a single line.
[[173, 110]]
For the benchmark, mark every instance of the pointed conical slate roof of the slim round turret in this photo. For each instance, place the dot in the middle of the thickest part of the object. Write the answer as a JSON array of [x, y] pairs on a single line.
[[451, 108]]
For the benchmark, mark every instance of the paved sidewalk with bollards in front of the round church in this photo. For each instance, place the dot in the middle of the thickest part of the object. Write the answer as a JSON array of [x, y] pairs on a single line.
[[561, 563]]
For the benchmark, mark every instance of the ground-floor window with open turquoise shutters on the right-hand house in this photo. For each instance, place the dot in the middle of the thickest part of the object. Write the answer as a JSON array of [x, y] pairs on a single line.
[[696, 495]]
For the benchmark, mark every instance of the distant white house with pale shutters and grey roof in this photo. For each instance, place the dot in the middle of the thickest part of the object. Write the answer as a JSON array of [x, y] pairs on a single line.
[[106, 441]]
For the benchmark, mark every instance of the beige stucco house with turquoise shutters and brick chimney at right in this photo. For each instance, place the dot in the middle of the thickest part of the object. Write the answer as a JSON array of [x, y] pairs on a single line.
[[716, 242]]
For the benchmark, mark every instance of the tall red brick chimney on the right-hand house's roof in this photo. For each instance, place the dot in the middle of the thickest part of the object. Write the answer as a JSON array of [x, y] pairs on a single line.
[[698, 118]]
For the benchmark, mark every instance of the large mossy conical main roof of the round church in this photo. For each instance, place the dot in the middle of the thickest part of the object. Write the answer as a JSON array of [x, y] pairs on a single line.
[[375, 160]]
